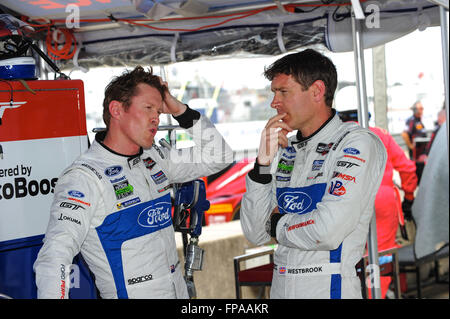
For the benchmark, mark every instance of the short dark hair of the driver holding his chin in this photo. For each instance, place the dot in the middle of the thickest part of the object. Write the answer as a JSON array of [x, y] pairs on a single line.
[[307, 67]]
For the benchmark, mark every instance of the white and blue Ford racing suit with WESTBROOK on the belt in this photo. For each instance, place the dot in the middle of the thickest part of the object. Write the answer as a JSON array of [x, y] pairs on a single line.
[[325, 187]]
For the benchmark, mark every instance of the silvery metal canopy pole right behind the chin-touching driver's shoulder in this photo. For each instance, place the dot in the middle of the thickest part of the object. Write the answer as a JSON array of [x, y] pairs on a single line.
[[363, 119]]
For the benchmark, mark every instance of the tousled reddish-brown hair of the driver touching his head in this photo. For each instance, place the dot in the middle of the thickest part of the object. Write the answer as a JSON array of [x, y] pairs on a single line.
[[124, 87]]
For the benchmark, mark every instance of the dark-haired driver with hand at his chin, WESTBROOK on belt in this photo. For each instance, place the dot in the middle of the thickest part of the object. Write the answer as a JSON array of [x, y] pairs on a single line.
[[313, 192]]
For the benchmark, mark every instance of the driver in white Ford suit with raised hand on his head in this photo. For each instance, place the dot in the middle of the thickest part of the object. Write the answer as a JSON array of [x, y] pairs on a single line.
[[113, 203]]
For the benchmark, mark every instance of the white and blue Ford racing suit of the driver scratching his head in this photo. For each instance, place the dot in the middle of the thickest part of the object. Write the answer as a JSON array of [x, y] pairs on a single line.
[[116, 210]]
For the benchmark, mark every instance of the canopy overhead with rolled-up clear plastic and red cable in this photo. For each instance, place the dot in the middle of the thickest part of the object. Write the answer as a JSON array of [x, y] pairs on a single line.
[[120, 32]]
